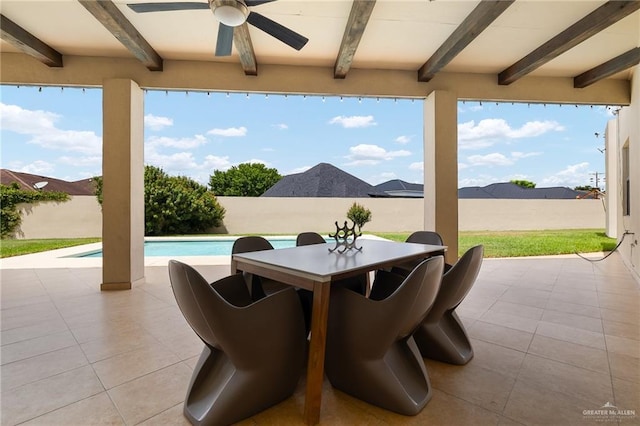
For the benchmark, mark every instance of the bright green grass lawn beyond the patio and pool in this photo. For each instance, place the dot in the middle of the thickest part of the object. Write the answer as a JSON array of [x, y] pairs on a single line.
[[496, 244]]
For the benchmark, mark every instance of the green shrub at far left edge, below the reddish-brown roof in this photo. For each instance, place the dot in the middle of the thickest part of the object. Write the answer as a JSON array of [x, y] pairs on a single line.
[[11, 195]]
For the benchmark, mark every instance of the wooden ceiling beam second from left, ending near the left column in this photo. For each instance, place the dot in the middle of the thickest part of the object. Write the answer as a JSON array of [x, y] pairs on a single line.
[[108, 14]]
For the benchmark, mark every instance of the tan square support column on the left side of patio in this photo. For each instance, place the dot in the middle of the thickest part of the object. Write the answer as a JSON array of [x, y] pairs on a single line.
[[123, 184]]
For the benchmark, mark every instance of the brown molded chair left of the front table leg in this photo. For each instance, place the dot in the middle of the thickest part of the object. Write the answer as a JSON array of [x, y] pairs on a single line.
[[254, 350]]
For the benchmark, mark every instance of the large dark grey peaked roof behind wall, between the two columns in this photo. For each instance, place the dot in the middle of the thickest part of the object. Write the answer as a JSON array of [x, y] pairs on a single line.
[[322, 180]]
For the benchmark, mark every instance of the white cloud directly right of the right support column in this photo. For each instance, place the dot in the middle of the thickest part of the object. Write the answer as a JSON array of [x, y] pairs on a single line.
[[488, 131]]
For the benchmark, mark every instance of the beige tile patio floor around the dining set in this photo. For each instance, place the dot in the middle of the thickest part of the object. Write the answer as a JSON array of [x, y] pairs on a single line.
[[553, 337]]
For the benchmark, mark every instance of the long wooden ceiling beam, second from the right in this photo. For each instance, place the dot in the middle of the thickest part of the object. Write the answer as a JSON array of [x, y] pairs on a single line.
[[604, 16]]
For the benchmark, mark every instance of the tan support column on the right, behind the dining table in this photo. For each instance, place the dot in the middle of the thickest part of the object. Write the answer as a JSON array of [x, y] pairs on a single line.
[[441, 168]]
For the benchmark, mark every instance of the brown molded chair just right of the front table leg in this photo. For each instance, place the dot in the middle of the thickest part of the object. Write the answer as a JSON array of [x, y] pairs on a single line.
[[371, 353]]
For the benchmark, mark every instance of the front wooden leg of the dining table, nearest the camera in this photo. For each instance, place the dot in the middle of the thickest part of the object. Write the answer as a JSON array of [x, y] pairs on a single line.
[[315, 365]]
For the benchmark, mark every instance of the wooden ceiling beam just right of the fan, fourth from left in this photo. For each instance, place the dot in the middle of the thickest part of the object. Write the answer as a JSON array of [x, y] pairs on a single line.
[[358, 18]]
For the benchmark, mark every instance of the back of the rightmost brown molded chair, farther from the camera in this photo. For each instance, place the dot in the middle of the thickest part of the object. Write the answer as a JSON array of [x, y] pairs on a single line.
[[457, 281]]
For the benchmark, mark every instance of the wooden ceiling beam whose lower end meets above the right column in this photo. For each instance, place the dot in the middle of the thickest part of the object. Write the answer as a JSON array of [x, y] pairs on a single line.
[[478, 20]]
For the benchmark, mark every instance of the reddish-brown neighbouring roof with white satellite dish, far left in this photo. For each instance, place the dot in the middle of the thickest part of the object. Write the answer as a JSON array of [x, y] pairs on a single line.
[[28, 181]]
